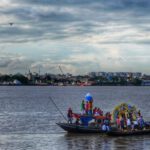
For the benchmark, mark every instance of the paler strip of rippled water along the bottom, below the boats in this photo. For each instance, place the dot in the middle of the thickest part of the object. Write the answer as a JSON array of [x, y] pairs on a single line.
[[64, 141]]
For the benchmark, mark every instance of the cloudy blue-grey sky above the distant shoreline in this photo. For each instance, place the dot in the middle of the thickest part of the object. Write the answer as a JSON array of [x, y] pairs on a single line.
[[79, 35]]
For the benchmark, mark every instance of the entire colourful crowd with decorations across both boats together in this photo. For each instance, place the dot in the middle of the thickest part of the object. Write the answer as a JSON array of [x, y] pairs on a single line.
[[123, 121]]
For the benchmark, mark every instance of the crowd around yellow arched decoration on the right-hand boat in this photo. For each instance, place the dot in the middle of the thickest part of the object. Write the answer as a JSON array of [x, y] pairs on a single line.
[[127, 117]]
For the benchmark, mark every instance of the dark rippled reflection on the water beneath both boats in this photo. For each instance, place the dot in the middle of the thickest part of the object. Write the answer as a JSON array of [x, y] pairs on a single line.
[[104, 142]]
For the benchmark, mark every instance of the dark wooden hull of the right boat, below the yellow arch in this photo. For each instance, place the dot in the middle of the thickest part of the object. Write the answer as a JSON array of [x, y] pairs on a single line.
[[128, 133]]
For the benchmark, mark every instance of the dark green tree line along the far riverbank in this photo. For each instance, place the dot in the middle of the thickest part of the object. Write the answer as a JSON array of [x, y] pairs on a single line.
[[77, 80]]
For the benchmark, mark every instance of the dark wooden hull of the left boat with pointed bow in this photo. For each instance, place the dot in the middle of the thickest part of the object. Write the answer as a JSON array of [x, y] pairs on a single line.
[[79, 128]]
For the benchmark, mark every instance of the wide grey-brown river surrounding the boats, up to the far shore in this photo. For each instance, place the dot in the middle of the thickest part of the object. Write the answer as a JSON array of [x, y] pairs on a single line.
[[28, 117]]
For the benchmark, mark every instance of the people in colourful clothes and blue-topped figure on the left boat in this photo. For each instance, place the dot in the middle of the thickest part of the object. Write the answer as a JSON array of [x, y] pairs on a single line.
[[98, 119]]
